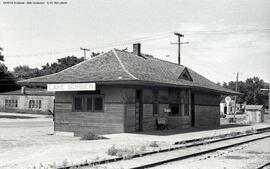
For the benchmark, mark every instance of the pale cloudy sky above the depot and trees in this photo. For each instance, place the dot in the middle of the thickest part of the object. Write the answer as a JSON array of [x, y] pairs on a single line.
[[225, 36]]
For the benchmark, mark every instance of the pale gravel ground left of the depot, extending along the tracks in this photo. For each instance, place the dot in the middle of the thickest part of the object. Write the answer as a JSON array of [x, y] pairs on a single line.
[[25, 143]]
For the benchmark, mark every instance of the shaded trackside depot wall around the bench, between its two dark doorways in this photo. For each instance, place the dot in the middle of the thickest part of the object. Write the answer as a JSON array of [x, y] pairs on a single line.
[[149, 119]]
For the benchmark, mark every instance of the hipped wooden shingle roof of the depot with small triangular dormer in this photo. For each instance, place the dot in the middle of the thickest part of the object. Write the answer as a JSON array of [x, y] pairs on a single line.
[[123, 67]]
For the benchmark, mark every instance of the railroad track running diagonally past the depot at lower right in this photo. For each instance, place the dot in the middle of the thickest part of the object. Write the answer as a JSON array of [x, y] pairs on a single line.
[[191, 143]]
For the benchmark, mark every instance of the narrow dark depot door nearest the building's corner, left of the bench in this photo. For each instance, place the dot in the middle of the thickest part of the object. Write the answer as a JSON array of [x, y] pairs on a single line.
[[138, 111]]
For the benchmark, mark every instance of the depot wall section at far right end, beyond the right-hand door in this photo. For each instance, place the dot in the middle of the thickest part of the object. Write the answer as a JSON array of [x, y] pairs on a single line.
[[207, 110]]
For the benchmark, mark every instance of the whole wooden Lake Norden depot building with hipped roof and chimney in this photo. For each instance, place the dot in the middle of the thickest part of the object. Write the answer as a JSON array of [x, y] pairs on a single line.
[[121, 91]]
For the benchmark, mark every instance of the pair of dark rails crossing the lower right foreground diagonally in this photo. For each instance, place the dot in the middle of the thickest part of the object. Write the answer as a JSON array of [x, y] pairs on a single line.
[[183, 145]]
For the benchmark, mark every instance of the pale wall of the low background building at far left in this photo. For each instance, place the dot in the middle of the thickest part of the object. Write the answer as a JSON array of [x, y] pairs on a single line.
[[47, 103]]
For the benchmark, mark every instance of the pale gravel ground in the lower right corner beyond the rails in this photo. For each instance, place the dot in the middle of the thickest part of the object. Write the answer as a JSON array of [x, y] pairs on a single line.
[[248, 156]]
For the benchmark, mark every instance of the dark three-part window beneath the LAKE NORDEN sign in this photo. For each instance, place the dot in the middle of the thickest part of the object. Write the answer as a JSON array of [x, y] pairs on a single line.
[[88, 103]]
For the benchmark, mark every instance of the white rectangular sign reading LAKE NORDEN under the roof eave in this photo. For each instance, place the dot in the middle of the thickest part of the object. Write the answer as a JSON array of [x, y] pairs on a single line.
[[72, 87]]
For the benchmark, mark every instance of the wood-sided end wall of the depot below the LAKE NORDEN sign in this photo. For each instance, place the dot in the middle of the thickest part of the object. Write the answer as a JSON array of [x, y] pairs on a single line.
[[109, 121]]
